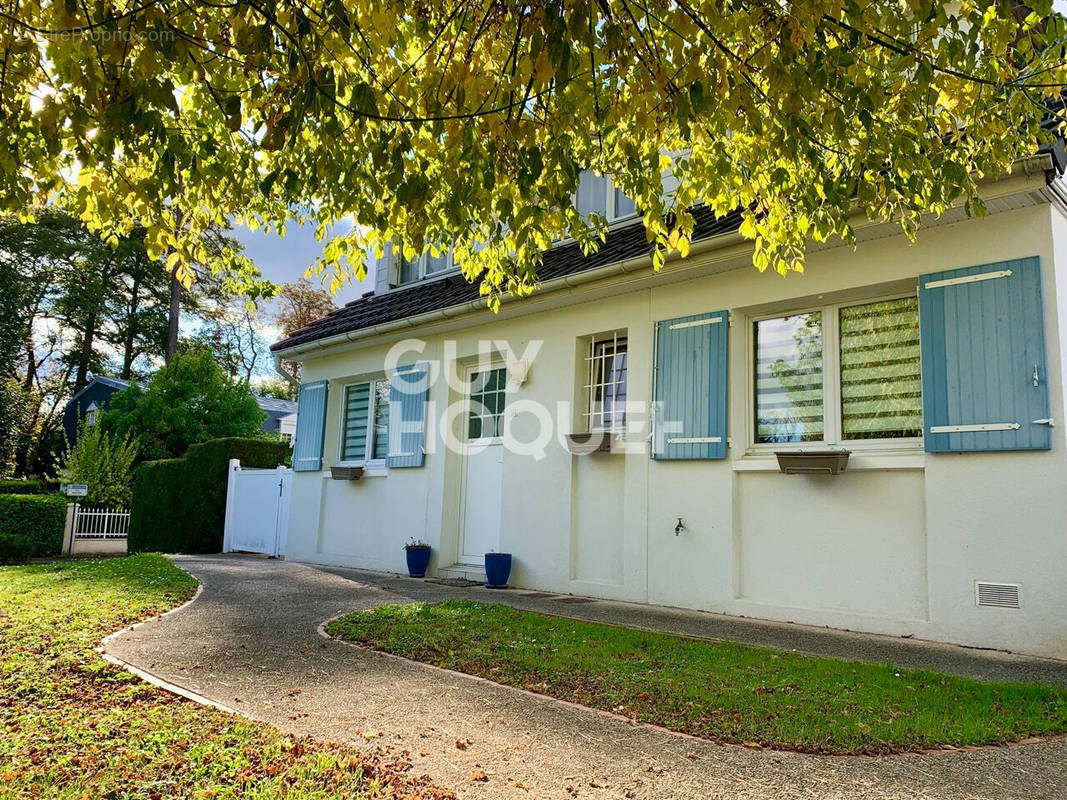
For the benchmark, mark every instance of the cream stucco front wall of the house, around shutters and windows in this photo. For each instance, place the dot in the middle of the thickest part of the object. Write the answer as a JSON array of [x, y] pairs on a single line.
[[895, 546]]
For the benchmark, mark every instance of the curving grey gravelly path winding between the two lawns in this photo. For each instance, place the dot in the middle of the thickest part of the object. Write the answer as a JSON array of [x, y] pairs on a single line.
[[250, 642]]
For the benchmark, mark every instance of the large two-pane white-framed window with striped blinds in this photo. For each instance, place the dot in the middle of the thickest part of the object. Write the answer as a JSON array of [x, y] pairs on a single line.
[[845, 373]]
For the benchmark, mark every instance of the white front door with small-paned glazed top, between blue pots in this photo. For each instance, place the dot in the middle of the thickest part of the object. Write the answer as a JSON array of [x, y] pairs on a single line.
[[484, 466]]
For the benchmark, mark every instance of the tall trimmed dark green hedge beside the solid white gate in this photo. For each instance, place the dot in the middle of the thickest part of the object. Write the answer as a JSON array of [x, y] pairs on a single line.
[[180, 505]]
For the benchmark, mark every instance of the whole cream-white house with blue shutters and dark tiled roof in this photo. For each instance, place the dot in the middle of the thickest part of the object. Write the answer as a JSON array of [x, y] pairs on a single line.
[[938, 365]]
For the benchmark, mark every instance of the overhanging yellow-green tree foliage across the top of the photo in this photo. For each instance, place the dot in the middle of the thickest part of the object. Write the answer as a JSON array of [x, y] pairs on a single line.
[[428, 123]]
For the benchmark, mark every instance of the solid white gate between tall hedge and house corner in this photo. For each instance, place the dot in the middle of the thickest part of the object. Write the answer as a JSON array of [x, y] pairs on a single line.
[[258, 510]]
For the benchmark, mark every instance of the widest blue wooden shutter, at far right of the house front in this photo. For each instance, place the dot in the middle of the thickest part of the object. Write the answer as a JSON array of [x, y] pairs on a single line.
[[985, 380]]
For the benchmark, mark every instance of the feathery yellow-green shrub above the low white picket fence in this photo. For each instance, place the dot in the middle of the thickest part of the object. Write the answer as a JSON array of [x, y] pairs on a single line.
[[104, 463]]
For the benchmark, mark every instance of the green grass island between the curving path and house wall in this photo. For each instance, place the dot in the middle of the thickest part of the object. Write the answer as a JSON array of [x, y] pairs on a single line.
[[718, 691]]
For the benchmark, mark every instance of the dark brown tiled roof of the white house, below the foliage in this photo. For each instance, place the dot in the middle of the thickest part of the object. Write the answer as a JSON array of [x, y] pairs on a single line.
[[622, 245]]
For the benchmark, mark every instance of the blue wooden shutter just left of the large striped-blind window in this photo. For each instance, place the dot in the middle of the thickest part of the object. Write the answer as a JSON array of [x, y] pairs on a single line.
[[691, 388]]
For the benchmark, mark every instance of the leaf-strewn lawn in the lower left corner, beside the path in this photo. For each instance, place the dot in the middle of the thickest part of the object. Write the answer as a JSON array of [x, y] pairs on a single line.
[[72, 726]]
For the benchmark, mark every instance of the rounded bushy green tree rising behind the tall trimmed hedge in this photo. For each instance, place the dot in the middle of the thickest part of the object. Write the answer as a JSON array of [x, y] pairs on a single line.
[[188, 402]]
